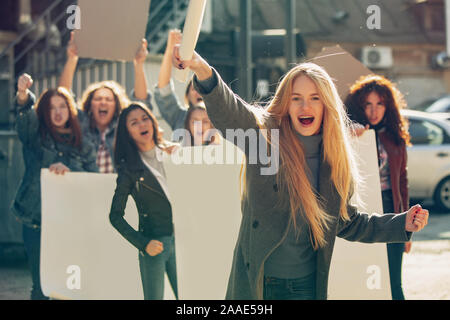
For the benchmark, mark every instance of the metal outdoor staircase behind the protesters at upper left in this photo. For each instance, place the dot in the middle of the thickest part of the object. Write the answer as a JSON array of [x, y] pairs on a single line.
[[44, 59]]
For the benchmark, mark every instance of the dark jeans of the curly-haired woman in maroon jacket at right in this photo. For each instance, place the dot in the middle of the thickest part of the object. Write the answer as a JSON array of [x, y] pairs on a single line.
[[395, 253]]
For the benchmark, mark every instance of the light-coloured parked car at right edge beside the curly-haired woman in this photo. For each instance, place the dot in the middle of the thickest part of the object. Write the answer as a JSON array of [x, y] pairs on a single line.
[[429, 157]]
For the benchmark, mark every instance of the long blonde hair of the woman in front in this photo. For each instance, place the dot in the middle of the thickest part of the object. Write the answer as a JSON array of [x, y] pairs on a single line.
[[336, 145]]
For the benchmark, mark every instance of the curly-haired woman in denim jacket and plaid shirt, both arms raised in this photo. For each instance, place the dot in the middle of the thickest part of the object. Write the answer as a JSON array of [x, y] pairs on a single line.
[[102, 102]]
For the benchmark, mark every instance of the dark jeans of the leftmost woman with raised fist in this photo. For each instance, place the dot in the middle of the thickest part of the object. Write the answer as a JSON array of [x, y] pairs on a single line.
[[32, 243]]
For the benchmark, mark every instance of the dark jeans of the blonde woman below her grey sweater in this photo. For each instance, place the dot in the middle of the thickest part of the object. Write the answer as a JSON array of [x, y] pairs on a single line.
[[290, 289]]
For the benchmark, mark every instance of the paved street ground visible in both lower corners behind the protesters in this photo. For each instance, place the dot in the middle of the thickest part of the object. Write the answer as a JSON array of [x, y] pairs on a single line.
[[426, 271]]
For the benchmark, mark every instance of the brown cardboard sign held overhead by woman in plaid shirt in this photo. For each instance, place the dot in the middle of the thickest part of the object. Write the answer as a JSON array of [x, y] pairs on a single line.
[[111, 29]]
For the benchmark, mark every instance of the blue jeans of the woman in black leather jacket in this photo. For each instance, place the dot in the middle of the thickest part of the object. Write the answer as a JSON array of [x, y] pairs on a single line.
[[153, 267]]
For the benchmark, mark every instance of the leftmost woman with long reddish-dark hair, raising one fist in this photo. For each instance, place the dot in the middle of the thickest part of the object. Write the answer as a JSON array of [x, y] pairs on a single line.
[[51, 138]]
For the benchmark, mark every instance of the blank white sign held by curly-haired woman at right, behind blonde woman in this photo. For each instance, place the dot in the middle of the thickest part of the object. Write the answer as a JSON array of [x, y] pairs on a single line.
[[360, 270]]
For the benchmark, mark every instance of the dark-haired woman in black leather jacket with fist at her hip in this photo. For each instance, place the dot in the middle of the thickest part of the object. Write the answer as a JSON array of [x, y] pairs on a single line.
[[138, 147]]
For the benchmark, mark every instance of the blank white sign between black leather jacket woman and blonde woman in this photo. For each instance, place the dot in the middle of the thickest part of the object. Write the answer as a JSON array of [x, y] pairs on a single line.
[[207, 206]]
